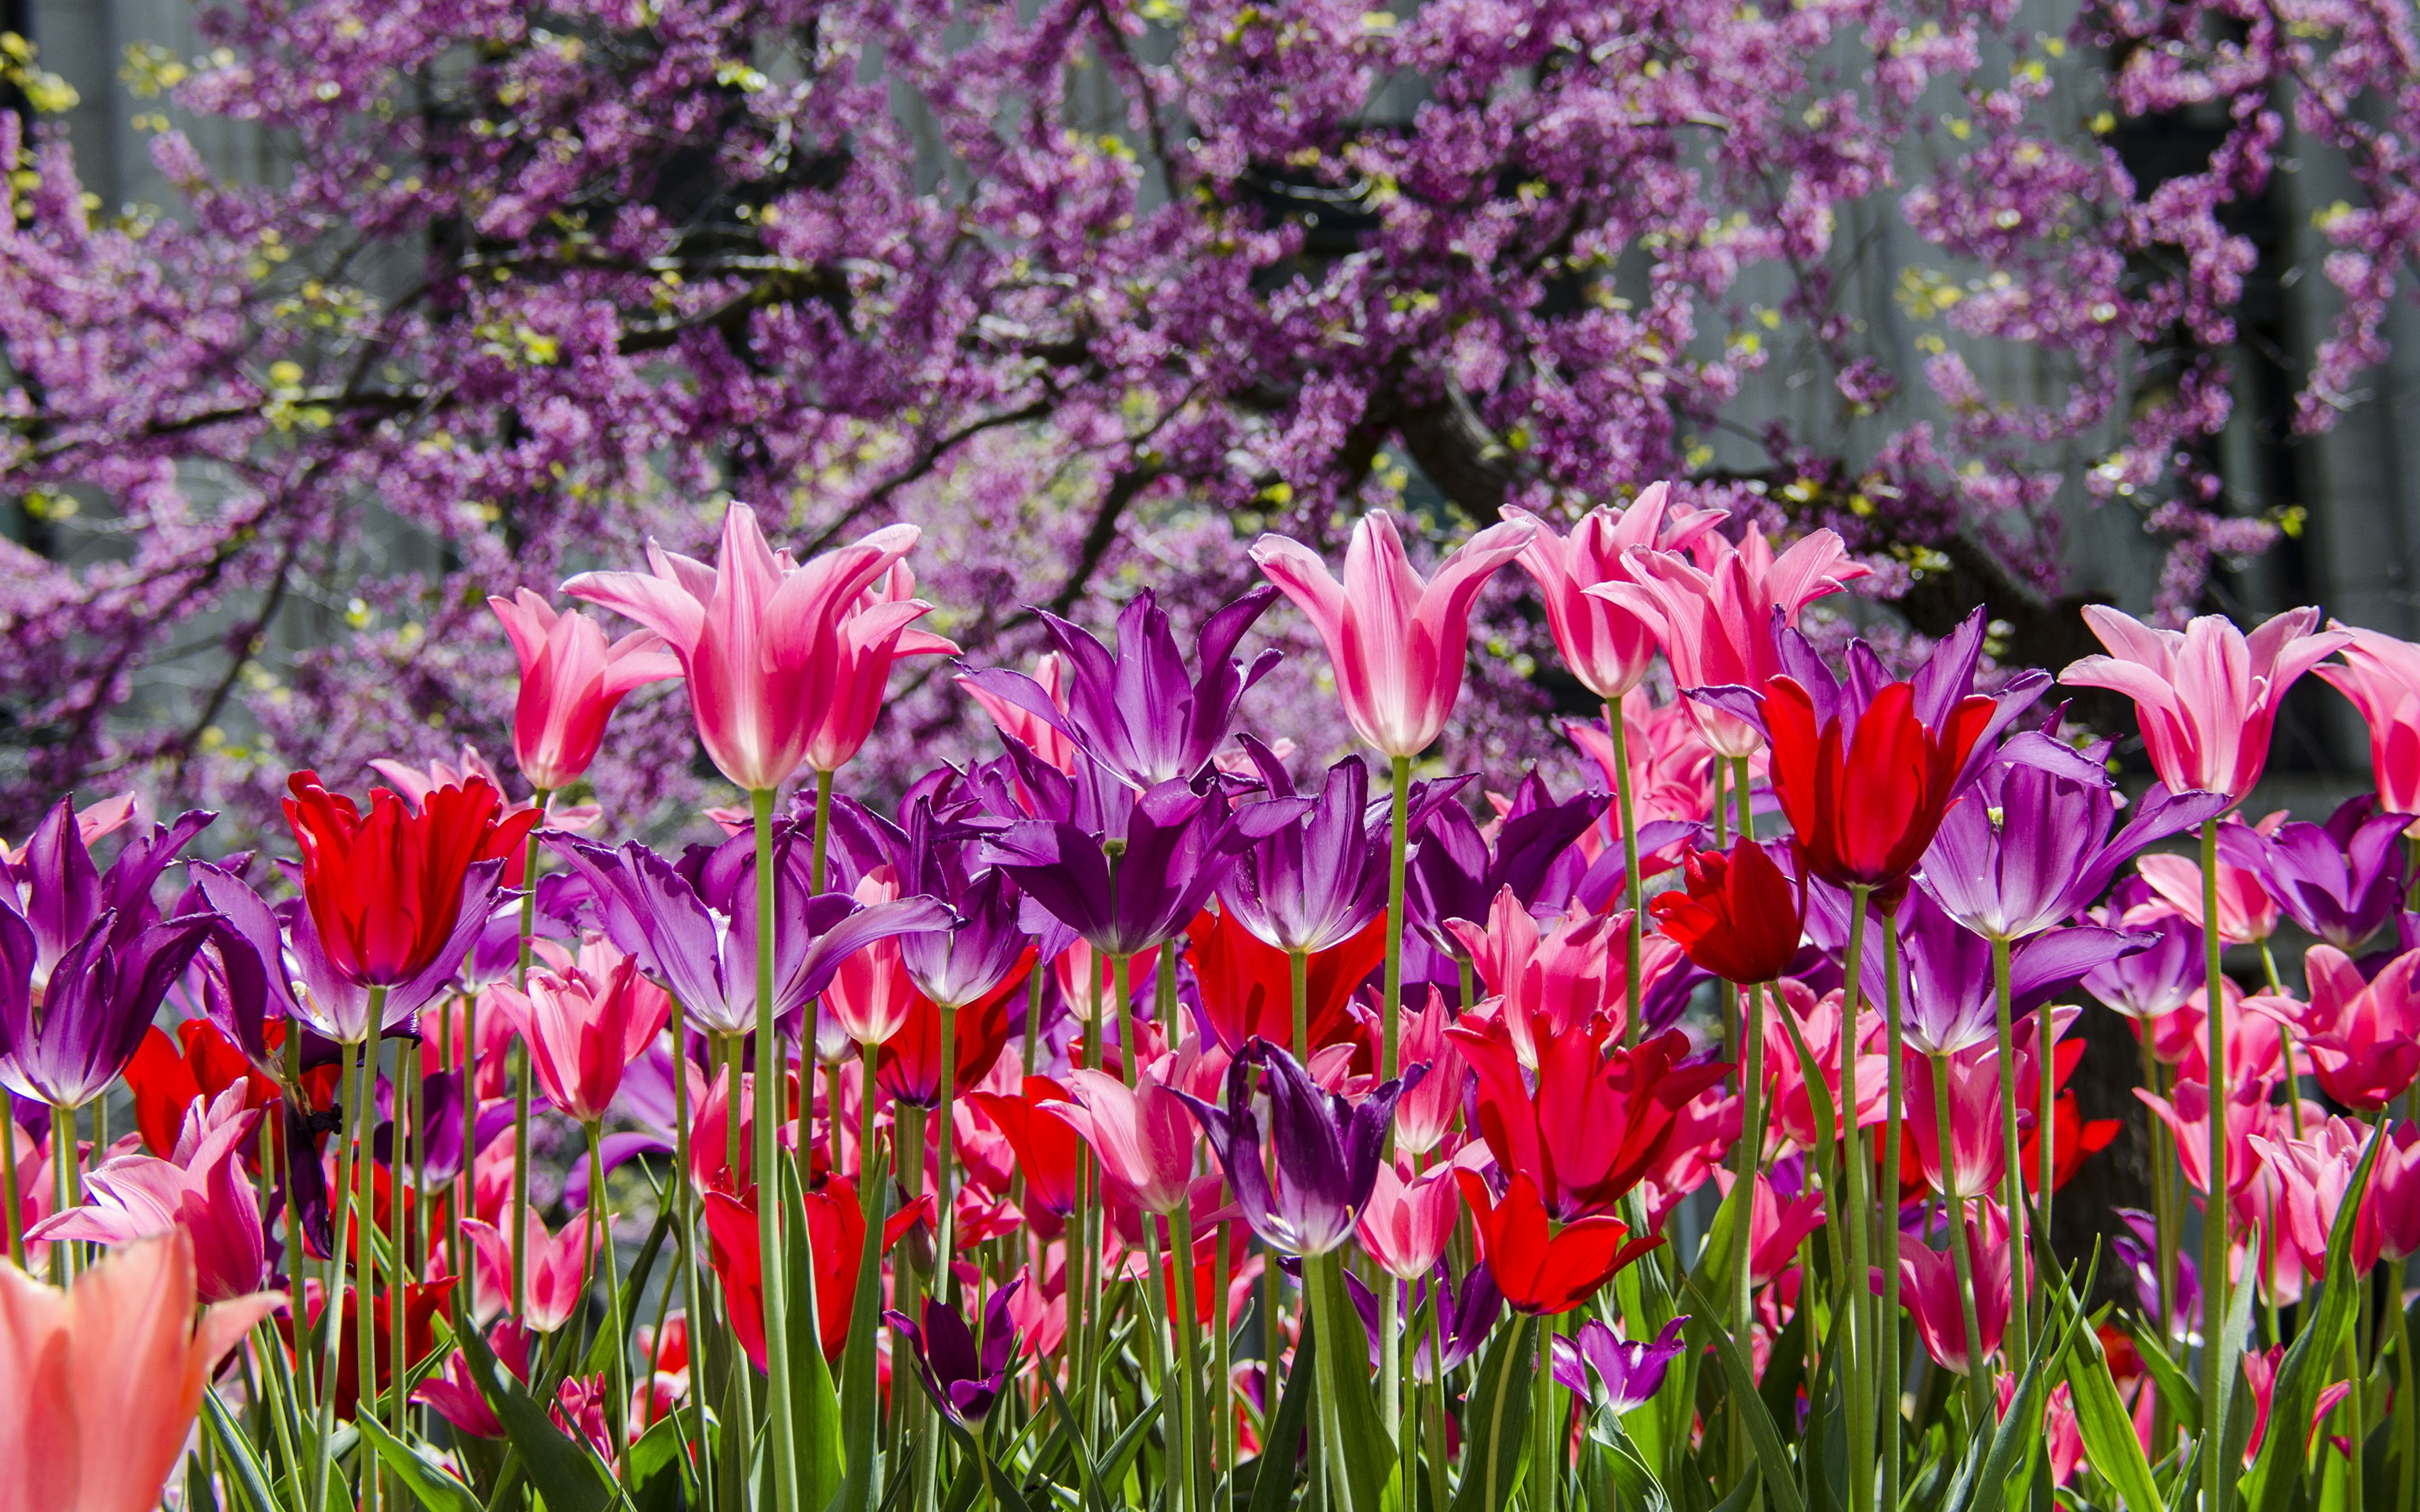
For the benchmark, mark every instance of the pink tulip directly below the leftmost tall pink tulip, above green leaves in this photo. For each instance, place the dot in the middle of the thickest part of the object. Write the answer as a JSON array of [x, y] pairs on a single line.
[[584, 1025]]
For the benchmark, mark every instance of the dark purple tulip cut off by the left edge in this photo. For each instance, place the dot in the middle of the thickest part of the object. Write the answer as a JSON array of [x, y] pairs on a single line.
[[88, 959]]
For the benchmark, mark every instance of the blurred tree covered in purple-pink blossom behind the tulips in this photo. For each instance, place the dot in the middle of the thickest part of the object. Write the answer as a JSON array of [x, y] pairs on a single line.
[[1095, 292]]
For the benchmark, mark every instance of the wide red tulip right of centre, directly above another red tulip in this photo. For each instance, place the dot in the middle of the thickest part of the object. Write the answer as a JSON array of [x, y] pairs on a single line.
[[1596, 1124]]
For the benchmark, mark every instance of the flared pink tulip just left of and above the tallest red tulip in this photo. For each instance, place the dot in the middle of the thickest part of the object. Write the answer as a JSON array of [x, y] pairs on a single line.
[[1715, 618]]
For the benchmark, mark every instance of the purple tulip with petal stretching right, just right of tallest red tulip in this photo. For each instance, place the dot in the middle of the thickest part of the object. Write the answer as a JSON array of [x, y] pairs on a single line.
[[2032, 843]]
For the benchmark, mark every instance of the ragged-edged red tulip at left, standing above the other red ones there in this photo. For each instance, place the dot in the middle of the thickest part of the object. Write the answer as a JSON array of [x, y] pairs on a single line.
[[386, 889]]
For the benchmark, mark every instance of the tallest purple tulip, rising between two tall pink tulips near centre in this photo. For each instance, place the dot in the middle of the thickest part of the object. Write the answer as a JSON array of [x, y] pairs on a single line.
[[1141, 715]]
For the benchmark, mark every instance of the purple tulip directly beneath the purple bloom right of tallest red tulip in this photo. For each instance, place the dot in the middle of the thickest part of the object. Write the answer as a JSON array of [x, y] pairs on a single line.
[[1949, 974]]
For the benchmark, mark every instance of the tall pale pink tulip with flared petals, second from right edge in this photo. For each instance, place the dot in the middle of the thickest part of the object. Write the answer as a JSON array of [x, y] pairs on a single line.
[[2206, 696]]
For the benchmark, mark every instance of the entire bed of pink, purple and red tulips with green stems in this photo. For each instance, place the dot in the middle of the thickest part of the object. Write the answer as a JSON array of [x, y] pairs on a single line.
[[1148, 1119]]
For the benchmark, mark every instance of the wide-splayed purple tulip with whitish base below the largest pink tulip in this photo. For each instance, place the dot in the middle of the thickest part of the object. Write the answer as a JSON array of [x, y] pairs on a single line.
[[696, 925]]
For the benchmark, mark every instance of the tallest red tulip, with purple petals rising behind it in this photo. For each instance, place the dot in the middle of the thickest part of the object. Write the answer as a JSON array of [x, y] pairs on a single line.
[[1867, 790]]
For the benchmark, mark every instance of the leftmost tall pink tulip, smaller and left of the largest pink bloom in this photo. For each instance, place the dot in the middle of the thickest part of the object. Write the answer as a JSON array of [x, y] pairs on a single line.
[[570, 686]]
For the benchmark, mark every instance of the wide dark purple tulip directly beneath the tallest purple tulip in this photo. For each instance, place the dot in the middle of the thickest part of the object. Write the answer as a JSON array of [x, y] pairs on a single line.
[[1141, 877]]
